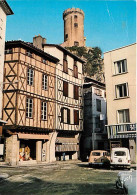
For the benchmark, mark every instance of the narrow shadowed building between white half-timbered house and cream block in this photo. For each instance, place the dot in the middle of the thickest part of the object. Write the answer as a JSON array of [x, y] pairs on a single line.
[[94, 136]]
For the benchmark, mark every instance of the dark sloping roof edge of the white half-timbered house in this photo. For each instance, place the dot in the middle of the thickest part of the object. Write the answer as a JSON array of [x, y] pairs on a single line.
[[65, 51]]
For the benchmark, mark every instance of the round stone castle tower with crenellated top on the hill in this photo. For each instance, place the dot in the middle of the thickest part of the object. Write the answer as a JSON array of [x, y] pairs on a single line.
[[73, 27]]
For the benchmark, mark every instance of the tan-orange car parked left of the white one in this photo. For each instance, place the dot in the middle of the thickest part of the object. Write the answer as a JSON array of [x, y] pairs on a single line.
[[99, 157]]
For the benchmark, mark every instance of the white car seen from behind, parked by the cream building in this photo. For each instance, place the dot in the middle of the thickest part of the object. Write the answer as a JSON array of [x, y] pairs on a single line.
[[120, 157]]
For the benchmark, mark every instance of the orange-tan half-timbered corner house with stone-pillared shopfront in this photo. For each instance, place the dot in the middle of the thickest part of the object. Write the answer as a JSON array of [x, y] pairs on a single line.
[[28, 104]]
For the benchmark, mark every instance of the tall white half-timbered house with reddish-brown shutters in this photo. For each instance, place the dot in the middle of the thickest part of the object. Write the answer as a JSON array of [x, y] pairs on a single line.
[[69, 102]]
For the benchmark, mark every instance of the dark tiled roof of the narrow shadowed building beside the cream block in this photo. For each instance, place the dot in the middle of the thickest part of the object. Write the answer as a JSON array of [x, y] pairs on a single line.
[[89, 82]]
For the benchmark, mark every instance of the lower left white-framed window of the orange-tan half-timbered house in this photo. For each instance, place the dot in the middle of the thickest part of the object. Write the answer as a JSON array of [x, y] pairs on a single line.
[[29, 114]]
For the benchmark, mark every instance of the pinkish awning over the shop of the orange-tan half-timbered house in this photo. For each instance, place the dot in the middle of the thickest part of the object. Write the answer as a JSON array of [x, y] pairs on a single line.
[[32, 136]]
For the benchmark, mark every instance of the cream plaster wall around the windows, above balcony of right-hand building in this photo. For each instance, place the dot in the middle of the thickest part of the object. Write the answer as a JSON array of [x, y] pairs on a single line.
[[129, 53]]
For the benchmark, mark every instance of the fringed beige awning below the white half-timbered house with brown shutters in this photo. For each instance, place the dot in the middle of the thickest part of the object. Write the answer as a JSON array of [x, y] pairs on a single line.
[[66, 140]]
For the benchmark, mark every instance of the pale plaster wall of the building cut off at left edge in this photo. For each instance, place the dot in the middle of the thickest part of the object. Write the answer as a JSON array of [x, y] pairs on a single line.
[[2, 48]]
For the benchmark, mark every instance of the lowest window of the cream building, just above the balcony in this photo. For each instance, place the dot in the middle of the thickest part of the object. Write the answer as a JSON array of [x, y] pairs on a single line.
[[123, 116]]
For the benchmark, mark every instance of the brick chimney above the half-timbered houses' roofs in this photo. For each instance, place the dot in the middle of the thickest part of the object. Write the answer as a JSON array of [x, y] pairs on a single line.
[[38, 41]]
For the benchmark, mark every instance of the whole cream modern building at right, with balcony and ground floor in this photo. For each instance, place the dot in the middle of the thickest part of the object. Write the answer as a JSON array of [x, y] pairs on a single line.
[[120, 74]]
